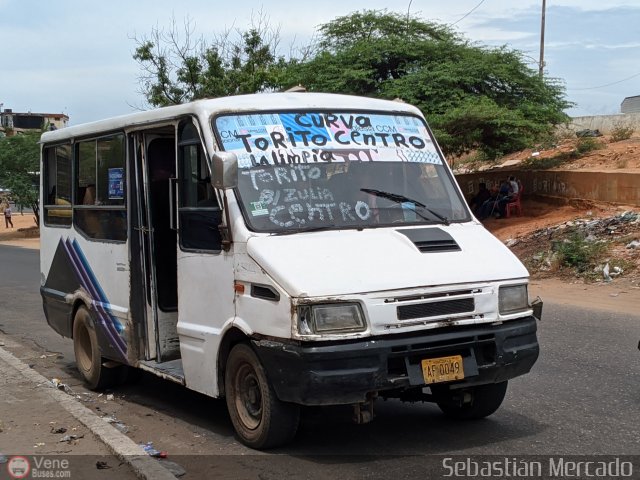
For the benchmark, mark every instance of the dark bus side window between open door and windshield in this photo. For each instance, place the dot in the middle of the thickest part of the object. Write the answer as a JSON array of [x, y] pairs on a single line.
[[199, 212]]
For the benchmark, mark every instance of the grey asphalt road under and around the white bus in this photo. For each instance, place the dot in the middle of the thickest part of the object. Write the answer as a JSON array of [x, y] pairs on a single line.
[[583, 397]]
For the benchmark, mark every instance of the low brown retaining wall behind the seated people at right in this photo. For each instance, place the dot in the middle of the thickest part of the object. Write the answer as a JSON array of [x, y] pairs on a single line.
[[613, 187]]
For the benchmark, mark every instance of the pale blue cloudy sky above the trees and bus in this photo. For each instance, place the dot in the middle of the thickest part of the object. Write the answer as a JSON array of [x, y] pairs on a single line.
[[75, 57]]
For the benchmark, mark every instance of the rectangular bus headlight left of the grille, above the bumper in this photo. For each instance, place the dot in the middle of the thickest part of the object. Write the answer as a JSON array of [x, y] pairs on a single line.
[[330, 318]]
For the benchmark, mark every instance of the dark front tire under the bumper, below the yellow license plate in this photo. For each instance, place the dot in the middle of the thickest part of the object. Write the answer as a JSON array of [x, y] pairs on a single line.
[[484, 400]]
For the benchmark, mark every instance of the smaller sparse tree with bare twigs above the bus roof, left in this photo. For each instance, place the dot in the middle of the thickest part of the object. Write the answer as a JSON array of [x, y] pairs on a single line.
[[179, 68]]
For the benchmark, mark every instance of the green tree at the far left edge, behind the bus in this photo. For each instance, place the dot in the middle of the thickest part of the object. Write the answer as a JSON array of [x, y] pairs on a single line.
[[19, 167]]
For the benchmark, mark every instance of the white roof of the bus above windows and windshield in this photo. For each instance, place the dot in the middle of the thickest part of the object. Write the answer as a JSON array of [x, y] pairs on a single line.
[[239, 103]]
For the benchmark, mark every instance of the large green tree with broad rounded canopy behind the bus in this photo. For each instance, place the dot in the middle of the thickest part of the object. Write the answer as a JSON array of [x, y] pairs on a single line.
[[474, 97]]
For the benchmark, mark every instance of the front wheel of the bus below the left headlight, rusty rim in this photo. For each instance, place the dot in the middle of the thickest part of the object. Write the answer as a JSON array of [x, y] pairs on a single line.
[[260, 419]]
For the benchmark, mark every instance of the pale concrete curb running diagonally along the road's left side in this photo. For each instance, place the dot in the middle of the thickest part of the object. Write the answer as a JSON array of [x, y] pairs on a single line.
[[125, 449]]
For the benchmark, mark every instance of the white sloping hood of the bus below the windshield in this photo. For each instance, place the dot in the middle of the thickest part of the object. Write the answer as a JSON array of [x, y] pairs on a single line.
[[375, 260]]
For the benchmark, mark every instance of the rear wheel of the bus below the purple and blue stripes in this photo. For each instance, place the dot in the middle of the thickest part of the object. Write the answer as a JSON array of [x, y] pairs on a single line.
[[87, 353]]
